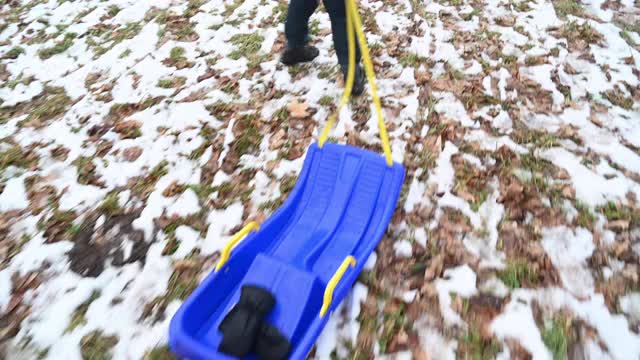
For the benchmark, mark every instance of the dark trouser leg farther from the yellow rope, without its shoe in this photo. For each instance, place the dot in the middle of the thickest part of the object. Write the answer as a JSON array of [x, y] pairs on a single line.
[[296, 27]]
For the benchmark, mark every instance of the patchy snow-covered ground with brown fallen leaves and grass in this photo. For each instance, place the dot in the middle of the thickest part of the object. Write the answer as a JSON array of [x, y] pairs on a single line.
[[136, 136]]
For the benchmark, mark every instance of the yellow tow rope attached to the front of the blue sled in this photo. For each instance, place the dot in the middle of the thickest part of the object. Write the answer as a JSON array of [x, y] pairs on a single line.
[[354, 28]]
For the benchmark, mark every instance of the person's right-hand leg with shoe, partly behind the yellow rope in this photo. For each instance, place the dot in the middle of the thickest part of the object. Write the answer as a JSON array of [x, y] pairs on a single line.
[[338, 15]]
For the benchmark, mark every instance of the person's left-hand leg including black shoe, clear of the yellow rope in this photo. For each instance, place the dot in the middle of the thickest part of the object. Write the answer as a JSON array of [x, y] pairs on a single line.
[[296, 30]]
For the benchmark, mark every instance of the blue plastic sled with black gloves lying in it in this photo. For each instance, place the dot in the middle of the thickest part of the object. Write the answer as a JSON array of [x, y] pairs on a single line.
[[340, 206]]
